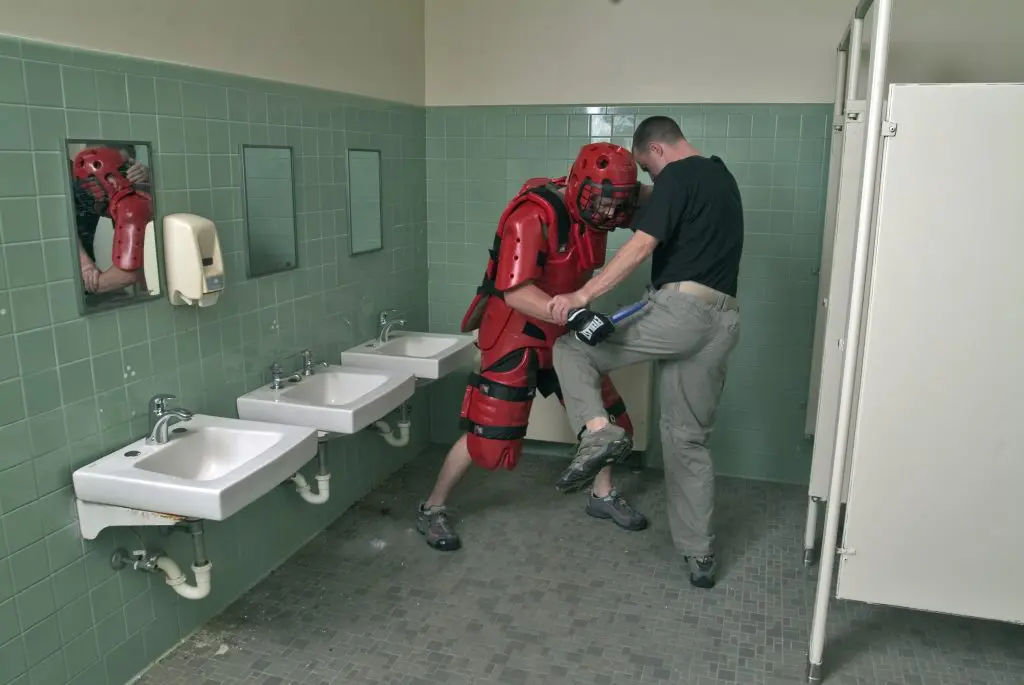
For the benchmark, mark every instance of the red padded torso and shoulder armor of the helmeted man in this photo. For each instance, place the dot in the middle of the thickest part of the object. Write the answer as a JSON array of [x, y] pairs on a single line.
[[536, 242]]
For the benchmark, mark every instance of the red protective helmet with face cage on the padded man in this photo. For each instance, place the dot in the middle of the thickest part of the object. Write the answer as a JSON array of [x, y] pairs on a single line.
[[602, 190]]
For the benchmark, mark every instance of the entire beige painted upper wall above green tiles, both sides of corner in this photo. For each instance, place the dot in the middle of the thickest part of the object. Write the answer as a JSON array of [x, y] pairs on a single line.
[[516, 52]]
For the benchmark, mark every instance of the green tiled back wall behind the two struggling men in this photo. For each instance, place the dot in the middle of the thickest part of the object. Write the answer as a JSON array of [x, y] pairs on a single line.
[[479, 157]]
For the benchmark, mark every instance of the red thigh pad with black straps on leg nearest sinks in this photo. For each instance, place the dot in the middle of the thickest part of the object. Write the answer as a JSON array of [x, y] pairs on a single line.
[[496, 410]]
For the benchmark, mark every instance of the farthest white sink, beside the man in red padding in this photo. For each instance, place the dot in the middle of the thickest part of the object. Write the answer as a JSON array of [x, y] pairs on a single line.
[[426, 356]]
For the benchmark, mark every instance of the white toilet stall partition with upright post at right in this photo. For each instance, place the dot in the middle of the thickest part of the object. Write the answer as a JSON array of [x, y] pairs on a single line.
[[928, 431]]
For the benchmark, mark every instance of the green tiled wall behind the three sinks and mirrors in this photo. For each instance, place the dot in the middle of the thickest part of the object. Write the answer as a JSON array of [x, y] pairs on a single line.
[[73, 389]]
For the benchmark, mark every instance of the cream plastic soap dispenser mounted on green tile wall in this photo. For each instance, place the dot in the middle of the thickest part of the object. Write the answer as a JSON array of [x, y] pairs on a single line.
[[192, 255]]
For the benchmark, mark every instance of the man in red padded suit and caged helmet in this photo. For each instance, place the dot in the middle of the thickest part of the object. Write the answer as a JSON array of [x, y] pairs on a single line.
[[550, 239]]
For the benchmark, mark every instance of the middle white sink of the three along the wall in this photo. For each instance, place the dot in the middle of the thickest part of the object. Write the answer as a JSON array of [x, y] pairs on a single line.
[[335, 400]]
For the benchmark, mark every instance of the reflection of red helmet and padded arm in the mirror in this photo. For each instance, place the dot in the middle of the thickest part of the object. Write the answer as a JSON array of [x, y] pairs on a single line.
[[99, 170]]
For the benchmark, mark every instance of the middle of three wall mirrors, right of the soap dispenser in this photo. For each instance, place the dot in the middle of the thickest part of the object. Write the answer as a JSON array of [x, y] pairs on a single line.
[[269, 195]]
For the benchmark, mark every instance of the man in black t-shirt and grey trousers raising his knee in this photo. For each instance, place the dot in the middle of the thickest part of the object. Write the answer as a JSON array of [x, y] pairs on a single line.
[[693, 226]]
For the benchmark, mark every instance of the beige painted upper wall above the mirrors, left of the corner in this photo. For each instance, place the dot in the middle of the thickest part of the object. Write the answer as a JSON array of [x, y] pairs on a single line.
[[370, 48]]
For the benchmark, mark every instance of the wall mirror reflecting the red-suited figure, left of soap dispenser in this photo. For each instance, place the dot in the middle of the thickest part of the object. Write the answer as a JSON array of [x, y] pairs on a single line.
[[113, 239]]
